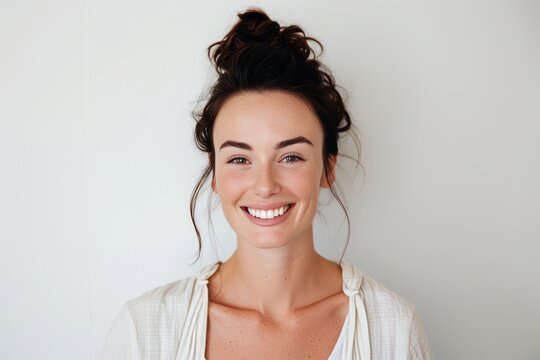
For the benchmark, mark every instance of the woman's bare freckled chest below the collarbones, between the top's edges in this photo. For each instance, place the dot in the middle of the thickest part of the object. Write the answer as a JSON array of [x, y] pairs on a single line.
[[311, 335]]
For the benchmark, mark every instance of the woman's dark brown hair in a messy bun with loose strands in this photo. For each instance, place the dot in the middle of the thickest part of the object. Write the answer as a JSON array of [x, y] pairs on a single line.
[[258, 54]]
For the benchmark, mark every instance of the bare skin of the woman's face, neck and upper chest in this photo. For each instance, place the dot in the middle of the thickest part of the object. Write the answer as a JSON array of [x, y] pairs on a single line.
[[275, 297]]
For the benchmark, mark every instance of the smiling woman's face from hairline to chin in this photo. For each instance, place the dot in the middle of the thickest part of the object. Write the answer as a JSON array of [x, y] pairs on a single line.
[[269, 167]]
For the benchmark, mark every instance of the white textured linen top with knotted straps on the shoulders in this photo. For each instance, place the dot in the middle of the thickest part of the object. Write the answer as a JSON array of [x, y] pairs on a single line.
[[169, 322]]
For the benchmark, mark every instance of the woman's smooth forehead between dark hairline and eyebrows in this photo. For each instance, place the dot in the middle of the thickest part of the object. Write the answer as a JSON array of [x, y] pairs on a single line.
[[256, 117]]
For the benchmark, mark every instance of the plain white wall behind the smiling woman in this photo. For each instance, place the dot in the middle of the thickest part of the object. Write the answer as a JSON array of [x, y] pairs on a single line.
[[97, 161]]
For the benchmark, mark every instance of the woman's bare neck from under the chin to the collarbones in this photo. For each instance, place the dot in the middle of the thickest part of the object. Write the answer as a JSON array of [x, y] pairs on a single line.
[[276, 282]]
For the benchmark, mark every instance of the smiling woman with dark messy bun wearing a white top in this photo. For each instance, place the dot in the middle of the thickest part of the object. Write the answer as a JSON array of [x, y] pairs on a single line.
[[270, 128]]
